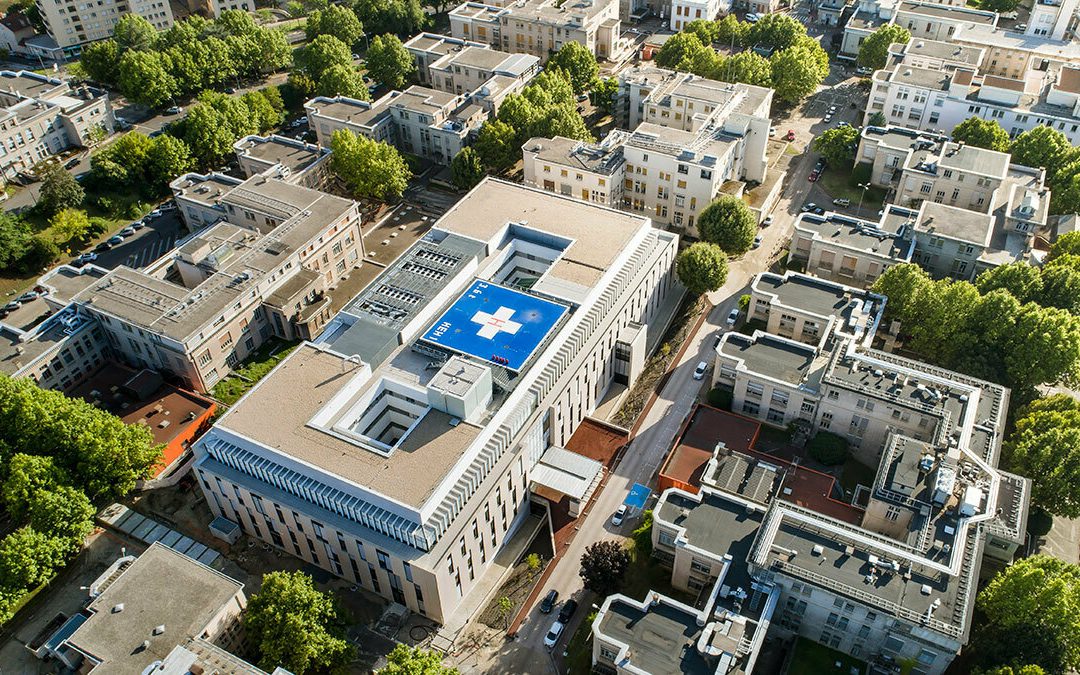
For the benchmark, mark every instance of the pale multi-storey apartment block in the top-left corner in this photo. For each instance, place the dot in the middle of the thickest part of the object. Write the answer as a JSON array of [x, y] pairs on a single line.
[[73, 24]]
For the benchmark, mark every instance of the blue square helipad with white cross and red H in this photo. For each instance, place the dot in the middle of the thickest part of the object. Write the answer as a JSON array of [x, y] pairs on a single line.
[[496, 325]]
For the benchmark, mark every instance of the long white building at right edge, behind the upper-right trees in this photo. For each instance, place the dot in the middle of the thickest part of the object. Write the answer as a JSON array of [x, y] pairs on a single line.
[[912, 92]]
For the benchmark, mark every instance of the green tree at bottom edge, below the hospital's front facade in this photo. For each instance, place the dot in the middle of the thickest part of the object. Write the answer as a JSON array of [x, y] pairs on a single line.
[[294, 626]]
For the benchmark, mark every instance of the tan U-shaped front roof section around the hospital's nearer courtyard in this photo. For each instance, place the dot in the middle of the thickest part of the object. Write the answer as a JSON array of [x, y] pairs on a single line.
[[301, 386]]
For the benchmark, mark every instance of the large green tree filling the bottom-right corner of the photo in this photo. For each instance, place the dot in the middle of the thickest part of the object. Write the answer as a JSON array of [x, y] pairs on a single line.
[[1031, 614]]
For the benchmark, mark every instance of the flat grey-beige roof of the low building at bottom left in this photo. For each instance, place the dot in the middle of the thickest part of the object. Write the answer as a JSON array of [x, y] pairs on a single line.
[[160, 588]]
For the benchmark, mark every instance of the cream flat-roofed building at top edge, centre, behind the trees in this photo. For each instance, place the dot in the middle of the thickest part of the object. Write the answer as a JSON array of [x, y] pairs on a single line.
[[542, 28]]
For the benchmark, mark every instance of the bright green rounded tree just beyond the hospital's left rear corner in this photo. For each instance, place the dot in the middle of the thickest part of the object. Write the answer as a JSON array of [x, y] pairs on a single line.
[[371, 169]]
